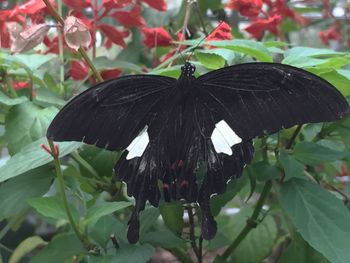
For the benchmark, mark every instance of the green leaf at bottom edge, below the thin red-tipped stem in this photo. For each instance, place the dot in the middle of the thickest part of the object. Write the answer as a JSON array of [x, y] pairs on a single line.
[[61, 248]]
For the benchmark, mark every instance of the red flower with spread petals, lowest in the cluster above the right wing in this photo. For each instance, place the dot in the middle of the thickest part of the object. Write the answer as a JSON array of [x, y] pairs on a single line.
[[258, 27]]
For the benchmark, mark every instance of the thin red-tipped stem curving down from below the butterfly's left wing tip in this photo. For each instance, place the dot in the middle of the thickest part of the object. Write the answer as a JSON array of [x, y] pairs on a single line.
[[60, 181]]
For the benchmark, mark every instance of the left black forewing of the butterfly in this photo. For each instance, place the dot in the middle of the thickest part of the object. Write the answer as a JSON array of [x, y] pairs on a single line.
[[111, 114]]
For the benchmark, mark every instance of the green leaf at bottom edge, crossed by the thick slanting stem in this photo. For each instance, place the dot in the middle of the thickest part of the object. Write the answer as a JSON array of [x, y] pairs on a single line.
[[257, 244]]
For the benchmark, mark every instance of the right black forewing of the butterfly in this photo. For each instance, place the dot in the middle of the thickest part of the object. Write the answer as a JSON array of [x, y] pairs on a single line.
[[262, 98]]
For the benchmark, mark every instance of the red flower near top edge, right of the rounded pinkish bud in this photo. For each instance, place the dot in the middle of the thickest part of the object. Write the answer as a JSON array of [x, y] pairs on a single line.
[[130, 18]]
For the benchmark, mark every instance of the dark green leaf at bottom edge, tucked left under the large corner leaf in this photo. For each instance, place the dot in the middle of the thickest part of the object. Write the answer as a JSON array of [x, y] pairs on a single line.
[[300, 251]]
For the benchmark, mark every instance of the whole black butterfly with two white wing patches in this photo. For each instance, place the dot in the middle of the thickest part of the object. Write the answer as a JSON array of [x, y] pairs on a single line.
[[170, 127]]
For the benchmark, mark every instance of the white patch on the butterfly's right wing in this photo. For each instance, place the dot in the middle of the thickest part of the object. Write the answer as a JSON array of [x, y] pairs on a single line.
[[223, 138]]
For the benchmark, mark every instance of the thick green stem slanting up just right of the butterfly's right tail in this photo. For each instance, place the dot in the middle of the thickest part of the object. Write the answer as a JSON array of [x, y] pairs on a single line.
[[251, 222]]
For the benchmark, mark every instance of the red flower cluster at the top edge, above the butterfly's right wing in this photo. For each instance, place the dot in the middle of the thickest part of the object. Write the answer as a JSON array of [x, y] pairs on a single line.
[[271, 19]]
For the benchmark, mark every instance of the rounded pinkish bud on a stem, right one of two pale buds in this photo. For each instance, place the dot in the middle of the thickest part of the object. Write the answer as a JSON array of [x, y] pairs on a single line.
[[76, 33]]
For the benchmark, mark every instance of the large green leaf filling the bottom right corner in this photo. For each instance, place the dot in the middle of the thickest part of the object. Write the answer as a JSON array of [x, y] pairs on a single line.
[[320, 218]]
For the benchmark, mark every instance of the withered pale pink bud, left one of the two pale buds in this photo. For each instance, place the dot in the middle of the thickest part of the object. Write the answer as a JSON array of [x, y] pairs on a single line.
[[29, 38]]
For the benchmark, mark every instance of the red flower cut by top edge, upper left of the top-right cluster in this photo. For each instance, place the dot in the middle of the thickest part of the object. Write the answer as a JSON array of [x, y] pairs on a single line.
[[250, 8]]
